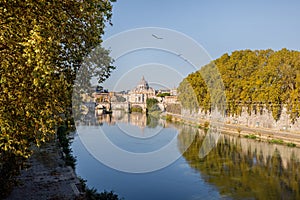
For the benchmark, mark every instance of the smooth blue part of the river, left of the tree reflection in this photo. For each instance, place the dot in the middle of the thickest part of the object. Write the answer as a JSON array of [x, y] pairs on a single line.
[[170, 176]]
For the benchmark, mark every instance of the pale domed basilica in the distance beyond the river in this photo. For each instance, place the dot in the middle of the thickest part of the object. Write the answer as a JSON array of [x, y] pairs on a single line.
[[141, 92]]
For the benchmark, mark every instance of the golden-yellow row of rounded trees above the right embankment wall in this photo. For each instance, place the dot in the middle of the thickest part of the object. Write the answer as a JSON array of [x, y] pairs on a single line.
[[252, 79]]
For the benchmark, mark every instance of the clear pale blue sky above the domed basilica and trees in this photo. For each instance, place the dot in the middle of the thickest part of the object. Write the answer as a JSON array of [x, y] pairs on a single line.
[[215, 26]]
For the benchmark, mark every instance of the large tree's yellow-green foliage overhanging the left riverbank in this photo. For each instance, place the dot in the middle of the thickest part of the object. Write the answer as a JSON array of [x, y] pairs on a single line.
[[42, 46]]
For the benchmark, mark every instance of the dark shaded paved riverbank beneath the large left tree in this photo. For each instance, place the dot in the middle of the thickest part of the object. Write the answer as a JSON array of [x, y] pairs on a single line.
[[46, 177]]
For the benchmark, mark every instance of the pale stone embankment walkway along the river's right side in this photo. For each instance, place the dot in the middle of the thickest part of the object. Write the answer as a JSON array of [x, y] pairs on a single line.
[[289, 138]]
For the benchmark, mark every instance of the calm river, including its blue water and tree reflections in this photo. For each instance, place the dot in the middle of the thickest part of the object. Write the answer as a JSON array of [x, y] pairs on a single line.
[[160, 160]]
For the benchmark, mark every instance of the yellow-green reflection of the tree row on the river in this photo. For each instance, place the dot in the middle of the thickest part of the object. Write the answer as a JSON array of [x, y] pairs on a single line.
[[245, 171]]
